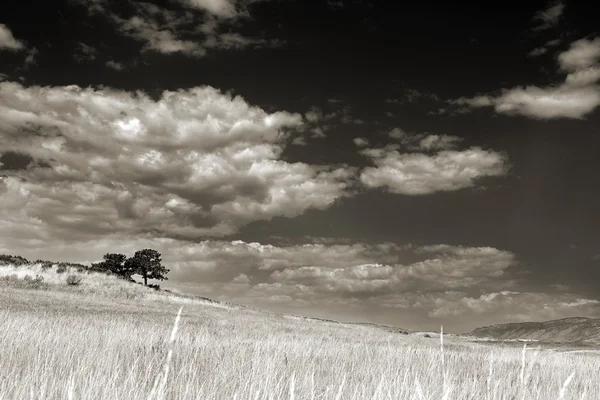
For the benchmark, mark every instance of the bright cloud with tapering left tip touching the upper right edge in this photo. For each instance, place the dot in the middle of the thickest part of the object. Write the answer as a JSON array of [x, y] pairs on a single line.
[[576, 97]]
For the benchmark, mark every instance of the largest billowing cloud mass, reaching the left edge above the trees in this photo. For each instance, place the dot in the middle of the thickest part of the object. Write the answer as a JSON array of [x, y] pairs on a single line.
[[194, 162]]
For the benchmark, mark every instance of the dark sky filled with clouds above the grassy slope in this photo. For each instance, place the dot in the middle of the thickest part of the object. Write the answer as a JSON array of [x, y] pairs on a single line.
[[355, 160]]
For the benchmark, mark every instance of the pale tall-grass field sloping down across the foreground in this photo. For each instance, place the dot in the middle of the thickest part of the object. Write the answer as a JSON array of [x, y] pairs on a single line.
[[108, 339]]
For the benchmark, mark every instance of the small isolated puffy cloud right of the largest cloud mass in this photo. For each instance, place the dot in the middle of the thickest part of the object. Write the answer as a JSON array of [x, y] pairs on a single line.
[[421, 173]]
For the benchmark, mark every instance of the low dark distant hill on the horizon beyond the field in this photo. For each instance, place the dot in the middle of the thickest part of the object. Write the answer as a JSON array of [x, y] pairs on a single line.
[[576, 329]]
